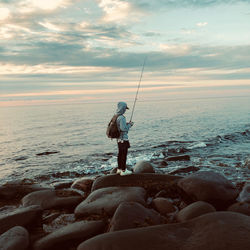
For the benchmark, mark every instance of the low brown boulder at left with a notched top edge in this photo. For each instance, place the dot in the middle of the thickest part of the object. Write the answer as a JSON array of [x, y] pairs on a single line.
[[49, 199]]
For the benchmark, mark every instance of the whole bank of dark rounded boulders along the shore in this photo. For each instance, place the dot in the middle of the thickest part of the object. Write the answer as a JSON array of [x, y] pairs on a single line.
[[145, 211]]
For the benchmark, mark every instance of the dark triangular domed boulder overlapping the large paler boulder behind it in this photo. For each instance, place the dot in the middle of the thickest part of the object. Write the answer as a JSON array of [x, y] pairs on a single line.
[[132, 215]]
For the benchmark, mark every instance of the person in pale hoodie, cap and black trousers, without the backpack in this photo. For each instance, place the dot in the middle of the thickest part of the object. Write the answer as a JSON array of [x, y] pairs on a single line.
[[122, 141]]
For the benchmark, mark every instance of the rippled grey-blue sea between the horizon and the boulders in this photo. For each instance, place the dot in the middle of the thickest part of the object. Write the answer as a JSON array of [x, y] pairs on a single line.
[[214, 132]]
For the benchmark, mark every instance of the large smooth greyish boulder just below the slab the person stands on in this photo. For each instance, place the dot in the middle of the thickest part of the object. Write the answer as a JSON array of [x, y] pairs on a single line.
[[106, 200]]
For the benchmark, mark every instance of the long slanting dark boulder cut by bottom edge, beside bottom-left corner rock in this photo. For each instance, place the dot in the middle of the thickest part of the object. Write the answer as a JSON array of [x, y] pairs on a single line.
[[73, 233]]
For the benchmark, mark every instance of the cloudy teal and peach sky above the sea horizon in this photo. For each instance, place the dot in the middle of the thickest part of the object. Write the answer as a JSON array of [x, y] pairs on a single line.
[[70, 51]]
